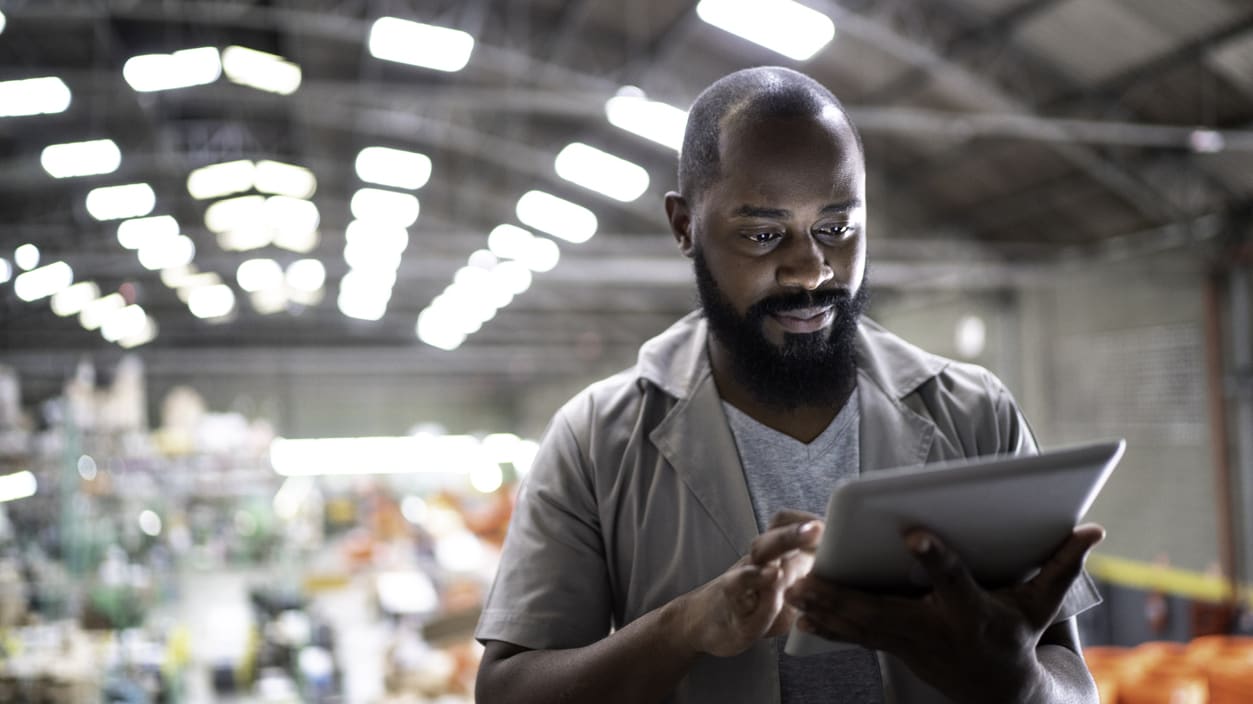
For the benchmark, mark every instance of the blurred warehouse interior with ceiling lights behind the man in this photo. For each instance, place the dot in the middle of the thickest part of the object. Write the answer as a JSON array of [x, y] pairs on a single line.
[[289, 291]]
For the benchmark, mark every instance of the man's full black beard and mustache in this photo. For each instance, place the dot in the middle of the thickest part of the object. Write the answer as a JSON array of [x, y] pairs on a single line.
[[808, 369]]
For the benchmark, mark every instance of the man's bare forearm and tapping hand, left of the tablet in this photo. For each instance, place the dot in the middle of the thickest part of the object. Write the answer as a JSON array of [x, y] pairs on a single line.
[[645, 661]]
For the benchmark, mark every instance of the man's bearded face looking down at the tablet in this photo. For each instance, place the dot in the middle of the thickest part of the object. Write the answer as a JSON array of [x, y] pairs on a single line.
[[780, 250]]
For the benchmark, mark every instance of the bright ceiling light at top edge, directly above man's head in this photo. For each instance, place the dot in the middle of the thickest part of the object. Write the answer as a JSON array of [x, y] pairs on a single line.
[[780, 26]]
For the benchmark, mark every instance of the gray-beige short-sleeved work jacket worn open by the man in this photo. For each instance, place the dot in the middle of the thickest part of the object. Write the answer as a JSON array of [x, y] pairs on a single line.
[[637, 497]]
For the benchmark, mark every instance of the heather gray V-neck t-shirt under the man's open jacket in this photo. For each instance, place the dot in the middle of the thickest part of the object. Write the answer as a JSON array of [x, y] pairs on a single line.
[[784, 473]]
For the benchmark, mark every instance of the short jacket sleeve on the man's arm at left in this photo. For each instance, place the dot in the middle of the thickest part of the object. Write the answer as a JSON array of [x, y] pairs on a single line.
[[552, 589]]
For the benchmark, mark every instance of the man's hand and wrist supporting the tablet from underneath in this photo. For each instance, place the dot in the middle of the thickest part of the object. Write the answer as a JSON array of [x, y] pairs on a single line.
[[970, 643]]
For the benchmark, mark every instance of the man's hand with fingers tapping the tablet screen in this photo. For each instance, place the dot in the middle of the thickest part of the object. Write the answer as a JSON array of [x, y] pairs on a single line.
[[746, 603]]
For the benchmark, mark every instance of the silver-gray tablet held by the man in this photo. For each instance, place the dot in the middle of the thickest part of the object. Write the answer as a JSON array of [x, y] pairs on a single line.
[[1003, 515]]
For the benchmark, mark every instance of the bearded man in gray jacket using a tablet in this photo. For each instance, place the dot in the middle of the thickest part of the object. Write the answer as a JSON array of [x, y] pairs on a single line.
[[662, 541]]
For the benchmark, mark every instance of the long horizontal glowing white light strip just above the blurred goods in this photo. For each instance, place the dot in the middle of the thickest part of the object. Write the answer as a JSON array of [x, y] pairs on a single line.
[[452, 454]]
